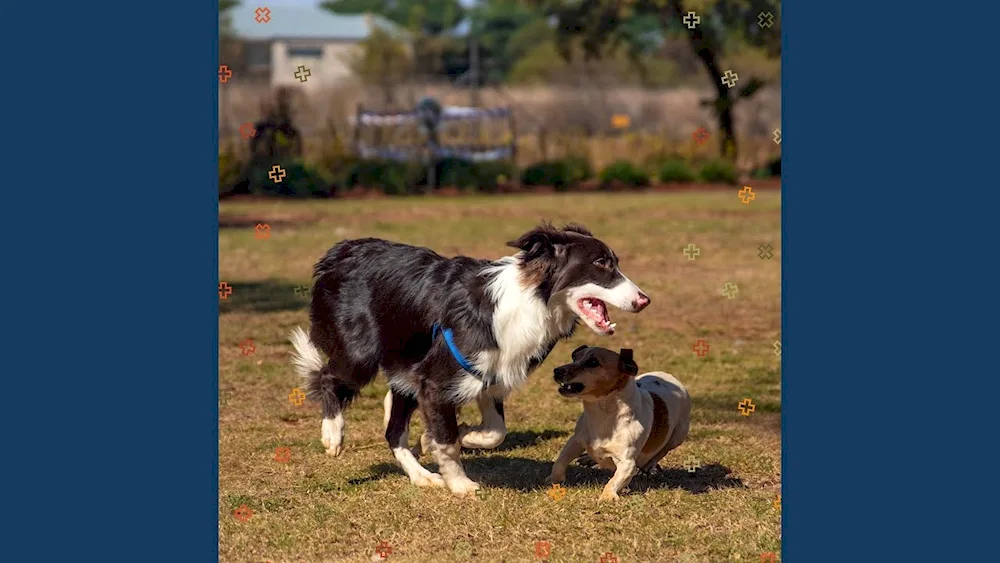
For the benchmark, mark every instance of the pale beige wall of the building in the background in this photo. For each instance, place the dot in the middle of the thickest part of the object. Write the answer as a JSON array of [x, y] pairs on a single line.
[[328, 62]]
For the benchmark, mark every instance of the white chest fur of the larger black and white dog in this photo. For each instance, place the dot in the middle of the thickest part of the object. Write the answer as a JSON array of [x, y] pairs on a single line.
[[524, 328]]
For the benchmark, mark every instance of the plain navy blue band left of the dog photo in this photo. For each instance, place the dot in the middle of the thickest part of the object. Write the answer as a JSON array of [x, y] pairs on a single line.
[[110, 273]]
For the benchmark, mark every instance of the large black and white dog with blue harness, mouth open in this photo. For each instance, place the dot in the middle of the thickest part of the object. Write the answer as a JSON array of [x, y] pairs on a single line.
[[449, 331]]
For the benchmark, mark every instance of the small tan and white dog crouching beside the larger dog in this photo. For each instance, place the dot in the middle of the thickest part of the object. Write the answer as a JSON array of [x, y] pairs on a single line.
[[628, 423]]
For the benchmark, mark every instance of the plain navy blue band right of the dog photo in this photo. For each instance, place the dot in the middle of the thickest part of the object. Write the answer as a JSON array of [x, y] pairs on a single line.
[[889, 253]]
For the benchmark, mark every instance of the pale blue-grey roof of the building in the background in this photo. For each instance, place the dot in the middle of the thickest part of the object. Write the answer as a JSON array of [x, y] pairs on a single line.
[[313, 22]]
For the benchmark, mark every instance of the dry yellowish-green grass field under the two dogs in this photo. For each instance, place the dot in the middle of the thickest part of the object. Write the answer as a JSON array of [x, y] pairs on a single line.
[[319, 508]]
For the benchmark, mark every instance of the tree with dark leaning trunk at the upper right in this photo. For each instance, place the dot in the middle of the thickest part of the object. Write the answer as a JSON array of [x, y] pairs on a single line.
[[725, 26]]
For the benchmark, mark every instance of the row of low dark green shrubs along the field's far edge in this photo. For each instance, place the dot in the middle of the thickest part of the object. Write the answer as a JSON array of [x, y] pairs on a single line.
[[395, 178]]
